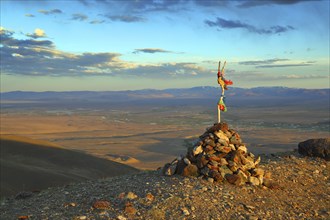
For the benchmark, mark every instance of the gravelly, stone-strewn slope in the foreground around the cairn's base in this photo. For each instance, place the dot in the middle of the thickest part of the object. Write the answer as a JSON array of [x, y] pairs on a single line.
[[302, 192]]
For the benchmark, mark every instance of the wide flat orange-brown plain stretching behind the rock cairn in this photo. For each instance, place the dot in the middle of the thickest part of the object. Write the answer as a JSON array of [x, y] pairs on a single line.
[[149, 134]]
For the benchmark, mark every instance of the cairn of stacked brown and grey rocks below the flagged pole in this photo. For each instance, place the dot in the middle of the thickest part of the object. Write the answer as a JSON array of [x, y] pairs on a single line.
[[219, 155]]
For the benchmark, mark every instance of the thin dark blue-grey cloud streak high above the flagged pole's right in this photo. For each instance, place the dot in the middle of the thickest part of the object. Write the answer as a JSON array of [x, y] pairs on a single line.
[[235, 24]]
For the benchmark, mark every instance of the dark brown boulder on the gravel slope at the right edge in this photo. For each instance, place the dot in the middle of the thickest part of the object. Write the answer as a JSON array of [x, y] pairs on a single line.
[[315, 148]]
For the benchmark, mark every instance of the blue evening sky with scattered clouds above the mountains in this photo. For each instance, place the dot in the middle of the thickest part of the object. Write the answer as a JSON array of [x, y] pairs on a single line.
[[103, 45]]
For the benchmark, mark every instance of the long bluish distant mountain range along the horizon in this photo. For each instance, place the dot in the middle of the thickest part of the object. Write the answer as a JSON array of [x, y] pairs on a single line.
[[186, 96]]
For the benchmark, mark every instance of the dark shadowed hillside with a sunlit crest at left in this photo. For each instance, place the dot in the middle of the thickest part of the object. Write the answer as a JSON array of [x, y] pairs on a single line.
[[28, 165]]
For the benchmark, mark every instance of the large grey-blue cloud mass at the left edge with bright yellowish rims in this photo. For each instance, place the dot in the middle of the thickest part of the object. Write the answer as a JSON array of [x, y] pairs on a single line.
[[36, 57]]
